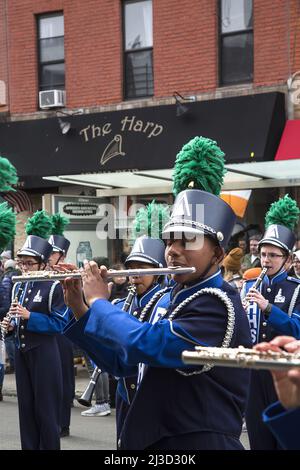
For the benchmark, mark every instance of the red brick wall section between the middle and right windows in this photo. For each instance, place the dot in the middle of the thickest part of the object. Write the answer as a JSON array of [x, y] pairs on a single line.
[[185, 46]]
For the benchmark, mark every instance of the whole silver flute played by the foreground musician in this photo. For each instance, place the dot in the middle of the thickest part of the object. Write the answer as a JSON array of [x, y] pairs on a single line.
[[60, 276]]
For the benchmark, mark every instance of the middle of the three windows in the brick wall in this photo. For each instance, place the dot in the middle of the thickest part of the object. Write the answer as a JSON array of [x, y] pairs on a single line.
[[138, 45]]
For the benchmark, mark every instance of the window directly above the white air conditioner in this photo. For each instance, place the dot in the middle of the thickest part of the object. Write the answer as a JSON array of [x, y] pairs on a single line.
[[51, 52]]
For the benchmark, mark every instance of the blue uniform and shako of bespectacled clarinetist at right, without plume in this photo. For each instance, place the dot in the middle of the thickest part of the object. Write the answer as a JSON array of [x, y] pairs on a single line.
[[283, 318]]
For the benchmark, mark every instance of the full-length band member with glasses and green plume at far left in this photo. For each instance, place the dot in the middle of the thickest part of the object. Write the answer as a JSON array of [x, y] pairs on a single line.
[[41, 315]]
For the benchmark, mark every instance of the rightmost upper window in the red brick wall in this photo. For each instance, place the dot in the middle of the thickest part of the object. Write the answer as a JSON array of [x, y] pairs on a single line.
[[236, 41]]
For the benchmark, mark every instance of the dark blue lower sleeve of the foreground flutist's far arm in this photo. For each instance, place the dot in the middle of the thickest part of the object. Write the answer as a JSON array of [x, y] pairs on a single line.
[[106, 359]]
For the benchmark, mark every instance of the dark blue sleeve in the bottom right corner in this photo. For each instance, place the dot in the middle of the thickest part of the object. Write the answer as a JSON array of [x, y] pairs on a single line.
[[284, 424]]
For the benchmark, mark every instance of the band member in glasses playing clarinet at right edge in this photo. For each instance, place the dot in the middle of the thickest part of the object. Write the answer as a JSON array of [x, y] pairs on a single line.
[[273, 309]]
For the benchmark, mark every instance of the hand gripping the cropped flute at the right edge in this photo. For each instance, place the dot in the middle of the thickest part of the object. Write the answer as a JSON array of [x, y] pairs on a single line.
[[287, 383]]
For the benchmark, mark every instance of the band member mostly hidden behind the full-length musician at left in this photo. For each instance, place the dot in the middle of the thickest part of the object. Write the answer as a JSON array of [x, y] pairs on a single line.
[[60, 247]]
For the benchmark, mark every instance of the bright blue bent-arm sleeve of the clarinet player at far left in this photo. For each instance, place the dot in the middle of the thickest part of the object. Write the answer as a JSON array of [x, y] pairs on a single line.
[[55, 321]]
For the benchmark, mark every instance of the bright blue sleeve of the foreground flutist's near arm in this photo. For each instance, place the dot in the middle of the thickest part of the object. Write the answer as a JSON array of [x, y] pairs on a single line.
[[158, 344]]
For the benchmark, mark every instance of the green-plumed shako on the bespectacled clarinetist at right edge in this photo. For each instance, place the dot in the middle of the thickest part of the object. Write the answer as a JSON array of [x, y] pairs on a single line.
[[281, 220]]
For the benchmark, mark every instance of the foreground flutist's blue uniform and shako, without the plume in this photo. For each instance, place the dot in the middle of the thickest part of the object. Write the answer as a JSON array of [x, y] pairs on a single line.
[[176, 406]]
